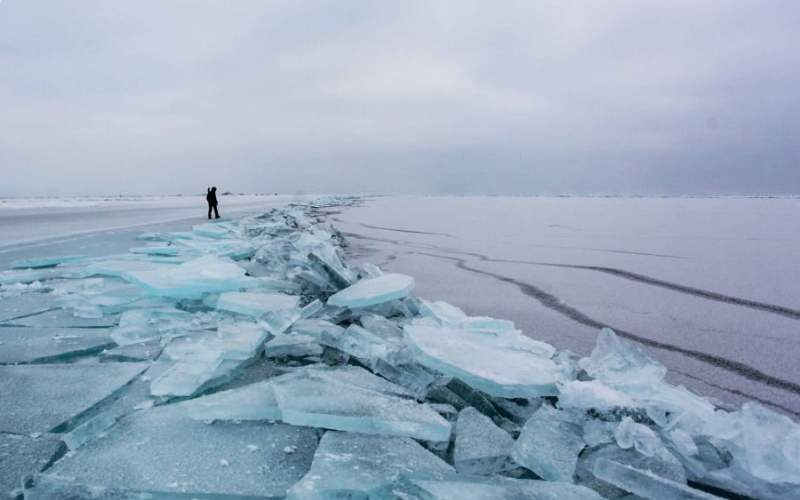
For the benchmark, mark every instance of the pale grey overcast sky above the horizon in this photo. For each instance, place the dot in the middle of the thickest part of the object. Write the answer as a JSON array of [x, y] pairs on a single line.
[[106, 97]]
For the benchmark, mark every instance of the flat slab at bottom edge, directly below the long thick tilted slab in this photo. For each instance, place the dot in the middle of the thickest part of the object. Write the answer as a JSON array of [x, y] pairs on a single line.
[[353, 466]]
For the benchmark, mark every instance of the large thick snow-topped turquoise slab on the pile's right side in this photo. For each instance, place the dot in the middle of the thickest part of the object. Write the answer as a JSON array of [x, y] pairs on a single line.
[[502, 369]]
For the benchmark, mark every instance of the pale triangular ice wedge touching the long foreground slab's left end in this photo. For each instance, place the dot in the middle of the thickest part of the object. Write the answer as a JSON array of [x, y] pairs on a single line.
[[251, 402]]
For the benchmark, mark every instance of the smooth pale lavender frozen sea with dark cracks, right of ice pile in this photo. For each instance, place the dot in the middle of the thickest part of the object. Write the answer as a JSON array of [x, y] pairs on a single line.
[[710, 287]]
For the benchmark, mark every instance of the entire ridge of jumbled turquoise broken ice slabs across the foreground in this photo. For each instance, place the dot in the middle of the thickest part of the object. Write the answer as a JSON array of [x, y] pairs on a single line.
[[249, 359]]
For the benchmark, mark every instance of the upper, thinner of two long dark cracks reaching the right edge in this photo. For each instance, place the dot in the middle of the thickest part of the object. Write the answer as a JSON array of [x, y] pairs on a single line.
[[619, 273]]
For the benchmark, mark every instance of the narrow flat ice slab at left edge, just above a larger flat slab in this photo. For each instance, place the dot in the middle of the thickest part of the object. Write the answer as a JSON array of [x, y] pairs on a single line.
[[31, 344]]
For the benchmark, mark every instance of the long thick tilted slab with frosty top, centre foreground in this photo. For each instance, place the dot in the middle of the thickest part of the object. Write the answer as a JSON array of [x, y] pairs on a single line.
[[354, 400]]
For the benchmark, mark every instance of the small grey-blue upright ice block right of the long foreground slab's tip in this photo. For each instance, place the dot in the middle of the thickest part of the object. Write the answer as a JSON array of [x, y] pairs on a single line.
[[481, 447]]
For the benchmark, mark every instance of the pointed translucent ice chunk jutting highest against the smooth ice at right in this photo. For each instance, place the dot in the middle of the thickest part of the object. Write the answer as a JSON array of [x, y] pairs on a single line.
[[618, 362]]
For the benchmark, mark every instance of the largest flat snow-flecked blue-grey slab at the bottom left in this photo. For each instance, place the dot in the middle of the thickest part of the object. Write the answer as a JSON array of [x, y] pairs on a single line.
[[162, 449]]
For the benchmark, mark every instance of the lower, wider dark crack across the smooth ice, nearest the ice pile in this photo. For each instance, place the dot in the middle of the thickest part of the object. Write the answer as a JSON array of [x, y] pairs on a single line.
[[553, 302]]
